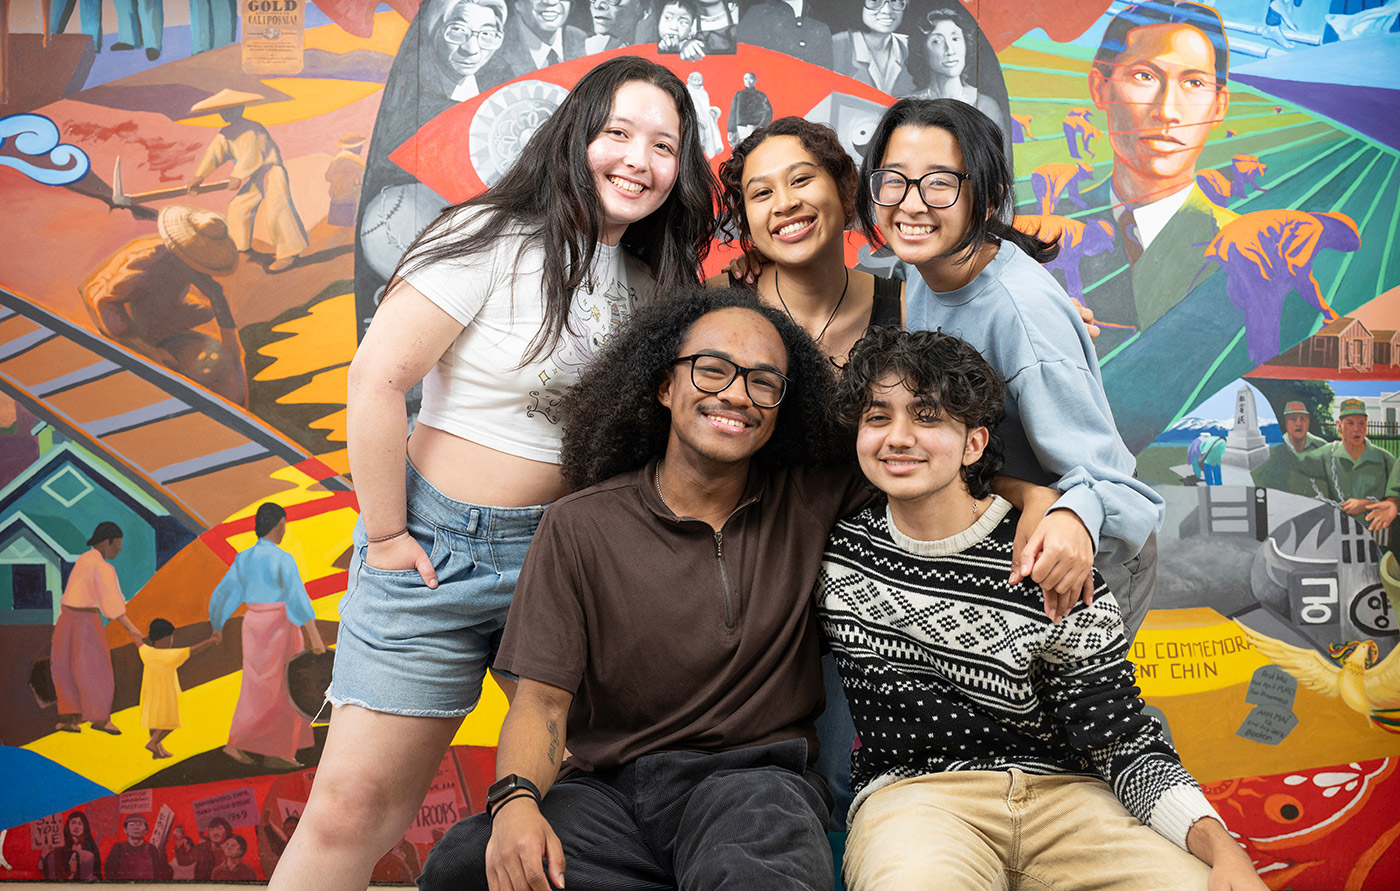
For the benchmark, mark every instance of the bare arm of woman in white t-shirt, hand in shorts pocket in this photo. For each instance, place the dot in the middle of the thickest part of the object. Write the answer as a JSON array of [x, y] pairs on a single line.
[[408, 337]]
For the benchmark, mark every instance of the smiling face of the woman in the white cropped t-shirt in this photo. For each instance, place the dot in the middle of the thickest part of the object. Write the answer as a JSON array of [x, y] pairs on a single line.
[[633, 159]]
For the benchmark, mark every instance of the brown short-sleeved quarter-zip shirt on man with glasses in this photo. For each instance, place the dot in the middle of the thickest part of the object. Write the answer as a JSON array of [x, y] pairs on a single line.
[[674, 637]]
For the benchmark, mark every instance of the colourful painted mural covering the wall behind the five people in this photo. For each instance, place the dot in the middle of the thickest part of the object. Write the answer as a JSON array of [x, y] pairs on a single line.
[[204, 201]]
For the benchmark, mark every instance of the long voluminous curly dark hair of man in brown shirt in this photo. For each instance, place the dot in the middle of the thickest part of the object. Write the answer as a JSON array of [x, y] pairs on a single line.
[[614, 421]]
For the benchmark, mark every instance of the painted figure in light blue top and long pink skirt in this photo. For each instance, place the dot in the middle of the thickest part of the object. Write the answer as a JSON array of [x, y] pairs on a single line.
[[279, 612]]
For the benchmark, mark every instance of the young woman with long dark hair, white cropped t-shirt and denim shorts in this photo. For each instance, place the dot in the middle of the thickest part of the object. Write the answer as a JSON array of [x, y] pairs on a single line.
[[498, 308]]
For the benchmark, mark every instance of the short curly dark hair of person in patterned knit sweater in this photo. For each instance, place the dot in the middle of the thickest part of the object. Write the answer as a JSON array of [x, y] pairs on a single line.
[[946, 372]]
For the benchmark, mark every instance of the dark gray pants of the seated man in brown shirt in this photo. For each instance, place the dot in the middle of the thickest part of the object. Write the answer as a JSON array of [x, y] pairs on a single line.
[[750, 819]]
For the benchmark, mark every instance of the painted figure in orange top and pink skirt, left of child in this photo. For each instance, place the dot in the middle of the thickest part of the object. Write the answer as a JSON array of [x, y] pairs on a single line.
[[80, 661]]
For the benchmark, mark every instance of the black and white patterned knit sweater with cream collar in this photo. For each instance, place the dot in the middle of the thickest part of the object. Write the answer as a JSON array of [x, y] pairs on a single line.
[[948, 668]]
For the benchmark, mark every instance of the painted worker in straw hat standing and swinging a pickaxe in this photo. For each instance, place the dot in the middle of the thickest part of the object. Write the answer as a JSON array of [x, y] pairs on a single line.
[[258, 179]]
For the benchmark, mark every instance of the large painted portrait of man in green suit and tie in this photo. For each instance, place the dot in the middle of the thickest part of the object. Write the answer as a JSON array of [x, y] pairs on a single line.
[[1160, 81]]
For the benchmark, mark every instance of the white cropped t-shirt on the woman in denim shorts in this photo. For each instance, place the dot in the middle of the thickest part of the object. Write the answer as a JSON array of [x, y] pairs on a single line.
[[479, 390]]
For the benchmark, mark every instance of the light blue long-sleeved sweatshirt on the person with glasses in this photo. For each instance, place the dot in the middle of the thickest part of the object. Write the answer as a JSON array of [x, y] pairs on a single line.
[[1059, 429]]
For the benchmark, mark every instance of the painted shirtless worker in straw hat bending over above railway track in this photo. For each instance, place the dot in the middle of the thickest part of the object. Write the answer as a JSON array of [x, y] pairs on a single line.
[[156, 293]]
